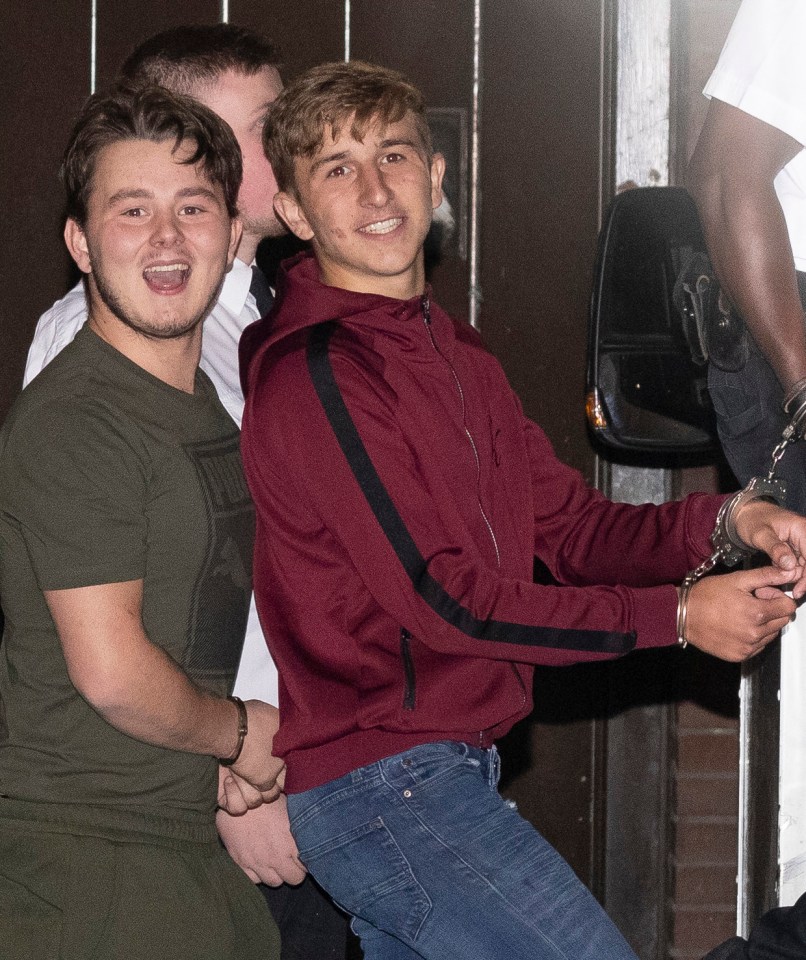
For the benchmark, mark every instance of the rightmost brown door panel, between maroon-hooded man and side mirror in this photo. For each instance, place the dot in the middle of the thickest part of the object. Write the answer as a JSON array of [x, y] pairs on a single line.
[[540, 172]]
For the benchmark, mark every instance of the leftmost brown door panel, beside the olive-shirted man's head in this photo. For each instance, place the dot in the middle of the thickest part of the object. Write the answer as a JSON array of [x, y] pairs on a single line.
[[45, 72]]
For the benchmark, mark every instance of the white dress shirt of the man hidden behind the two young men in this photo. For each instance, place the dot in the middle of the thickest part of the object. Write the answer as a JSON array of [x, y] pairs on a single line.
[[234, 310]]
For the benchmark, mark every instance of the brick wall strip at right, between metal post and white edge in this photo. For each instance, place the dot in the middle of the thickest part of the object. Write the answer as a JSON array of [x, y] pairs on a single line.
[[706, 771]]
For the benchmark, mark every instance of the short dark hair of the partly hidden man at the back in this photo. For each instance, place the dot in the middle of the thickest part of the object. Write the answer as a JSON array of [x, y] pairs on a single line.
[[186, 58]]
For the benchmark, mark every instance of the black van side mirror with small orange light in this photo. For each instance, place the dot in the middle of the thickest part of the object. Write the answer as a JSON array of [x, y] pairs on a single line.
[[646, 388]]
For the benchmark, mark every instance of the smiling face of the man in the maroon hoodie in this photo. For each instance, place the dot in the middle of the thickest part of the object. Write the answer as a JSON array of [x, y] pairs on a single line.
[[366, 207]]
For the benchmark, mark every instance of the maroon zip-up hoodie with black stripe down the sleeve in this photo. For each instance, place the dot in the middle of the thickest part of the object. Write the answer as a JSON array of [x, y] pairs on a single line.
[[401, 497]]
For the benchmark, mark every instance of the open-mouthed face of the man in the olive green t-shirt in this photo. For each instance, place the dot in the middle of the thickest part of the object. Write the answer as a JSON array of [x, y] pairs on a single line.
[[157, 240]]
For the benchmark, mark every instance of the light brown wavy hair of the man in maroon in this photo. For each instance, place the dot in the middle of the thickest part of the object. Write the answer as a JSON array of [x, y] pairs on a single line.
[[330, 95]]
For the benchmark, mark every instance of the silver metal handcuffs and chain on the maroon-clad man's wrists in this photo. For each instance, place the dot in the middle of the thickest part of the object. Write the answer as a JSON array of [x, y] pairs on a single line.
[[728, 547]]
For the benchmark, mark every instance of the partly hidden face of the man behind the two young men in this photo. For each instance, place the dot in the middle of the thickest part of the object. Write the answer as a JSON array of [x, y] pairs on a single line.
[[243, 101]]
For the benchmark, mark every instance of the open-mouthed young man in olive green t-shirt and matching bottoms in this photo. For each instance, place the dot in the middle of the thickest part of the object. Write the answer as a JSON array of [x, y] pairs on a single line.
[[125, 560]]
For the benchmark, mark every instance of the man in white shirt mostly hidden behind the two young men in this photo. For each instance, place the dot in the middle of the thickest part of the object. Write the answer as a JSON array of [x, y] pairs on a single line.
[[234, 72]]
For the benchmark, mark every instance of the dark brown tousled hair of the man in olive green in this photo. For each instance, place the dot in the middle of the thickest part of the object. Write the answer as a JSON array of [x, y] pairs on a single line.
[[157, 115]]
